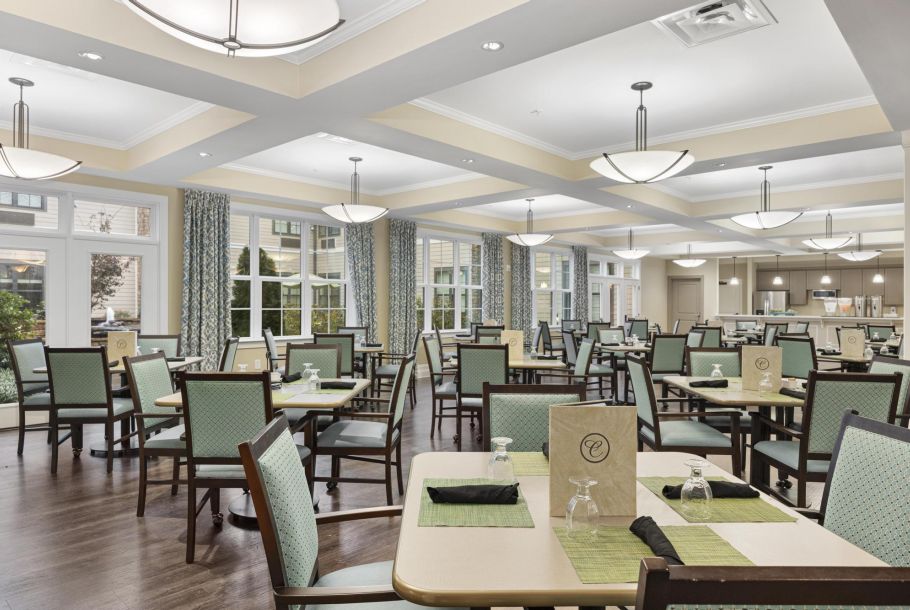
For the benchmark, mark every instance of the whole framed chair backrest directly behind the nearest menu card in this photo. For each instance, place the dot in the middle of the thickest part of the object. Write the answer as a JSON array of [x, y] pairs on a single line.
[[522, 412]]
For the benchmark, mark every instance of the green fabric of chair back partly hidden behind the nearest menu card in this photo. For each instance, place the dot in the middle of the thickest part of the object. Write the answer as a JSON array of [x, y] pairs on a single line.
[[524, 417]]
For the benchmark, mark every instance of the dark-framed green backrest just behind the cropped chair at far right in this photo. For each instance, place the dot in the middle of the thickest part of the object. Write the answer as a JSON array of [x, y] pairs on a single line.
[[829, 395]]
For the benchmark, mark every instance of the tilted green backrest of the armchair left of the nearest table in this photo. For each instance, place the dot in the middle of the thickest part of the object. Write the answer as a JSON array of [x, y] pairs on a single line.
[[284, 507]]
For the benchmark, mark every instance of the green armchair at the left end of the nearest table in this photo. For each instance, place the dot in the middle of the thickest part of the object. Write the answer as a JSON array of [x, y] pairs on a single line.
[[290, 534]]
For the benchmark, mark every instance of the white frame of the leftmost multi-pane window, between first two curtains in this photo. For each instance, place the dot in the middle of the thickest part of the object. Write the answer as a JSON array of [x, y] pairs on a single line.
[[255, 213]]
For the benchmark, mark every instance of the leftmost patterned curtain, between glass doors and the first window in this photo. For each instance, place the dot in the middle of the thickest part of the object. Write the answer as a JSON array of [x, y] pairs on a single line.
[[205, 322]]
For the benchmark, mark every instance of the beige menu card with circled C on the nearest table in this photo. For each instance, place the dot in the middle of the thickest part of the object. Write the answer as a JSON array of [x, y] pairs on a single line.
[[594, 440]]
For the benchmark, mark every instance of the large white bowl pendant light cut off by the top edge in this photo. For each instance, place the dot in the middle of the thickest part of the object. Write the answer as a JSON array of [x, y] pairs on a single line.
[[259, 28]]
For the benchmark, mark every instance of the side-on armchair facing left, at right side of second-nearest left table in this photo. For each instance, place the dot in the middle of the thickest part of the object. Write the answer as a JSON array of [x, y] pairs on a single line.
[[369, 437]]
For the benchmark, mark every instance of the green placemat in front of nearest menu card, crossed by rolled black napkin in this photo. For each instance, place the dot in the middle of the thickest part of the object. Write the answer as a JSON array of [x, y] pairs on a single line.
[[615, 554]]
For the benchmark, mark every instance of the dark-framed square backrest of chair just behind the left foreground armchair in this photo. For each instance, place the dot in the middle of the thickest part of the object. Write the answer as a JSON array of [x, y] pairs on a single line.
[[223, 410]]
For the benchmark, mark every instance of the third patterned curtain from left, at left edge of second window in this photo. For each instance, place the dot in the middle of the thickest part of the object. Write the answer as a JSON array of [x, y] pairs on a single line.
[[402, 285]]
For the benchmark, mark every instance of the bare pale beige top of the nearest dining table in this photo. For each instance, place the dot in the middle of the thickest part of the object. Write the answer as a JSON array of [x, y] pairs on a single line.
[[529, 565]]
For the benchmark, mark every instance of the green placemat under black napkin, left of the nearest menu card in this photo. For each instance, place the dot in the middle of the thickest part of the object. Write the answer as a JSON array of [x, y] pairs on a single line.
[[471, 515]]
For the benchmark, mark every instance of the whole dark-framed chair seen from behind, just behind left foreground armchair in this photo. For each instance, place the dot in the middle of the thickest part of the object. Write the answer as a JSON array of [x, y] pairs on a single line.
[[221, 410]]
